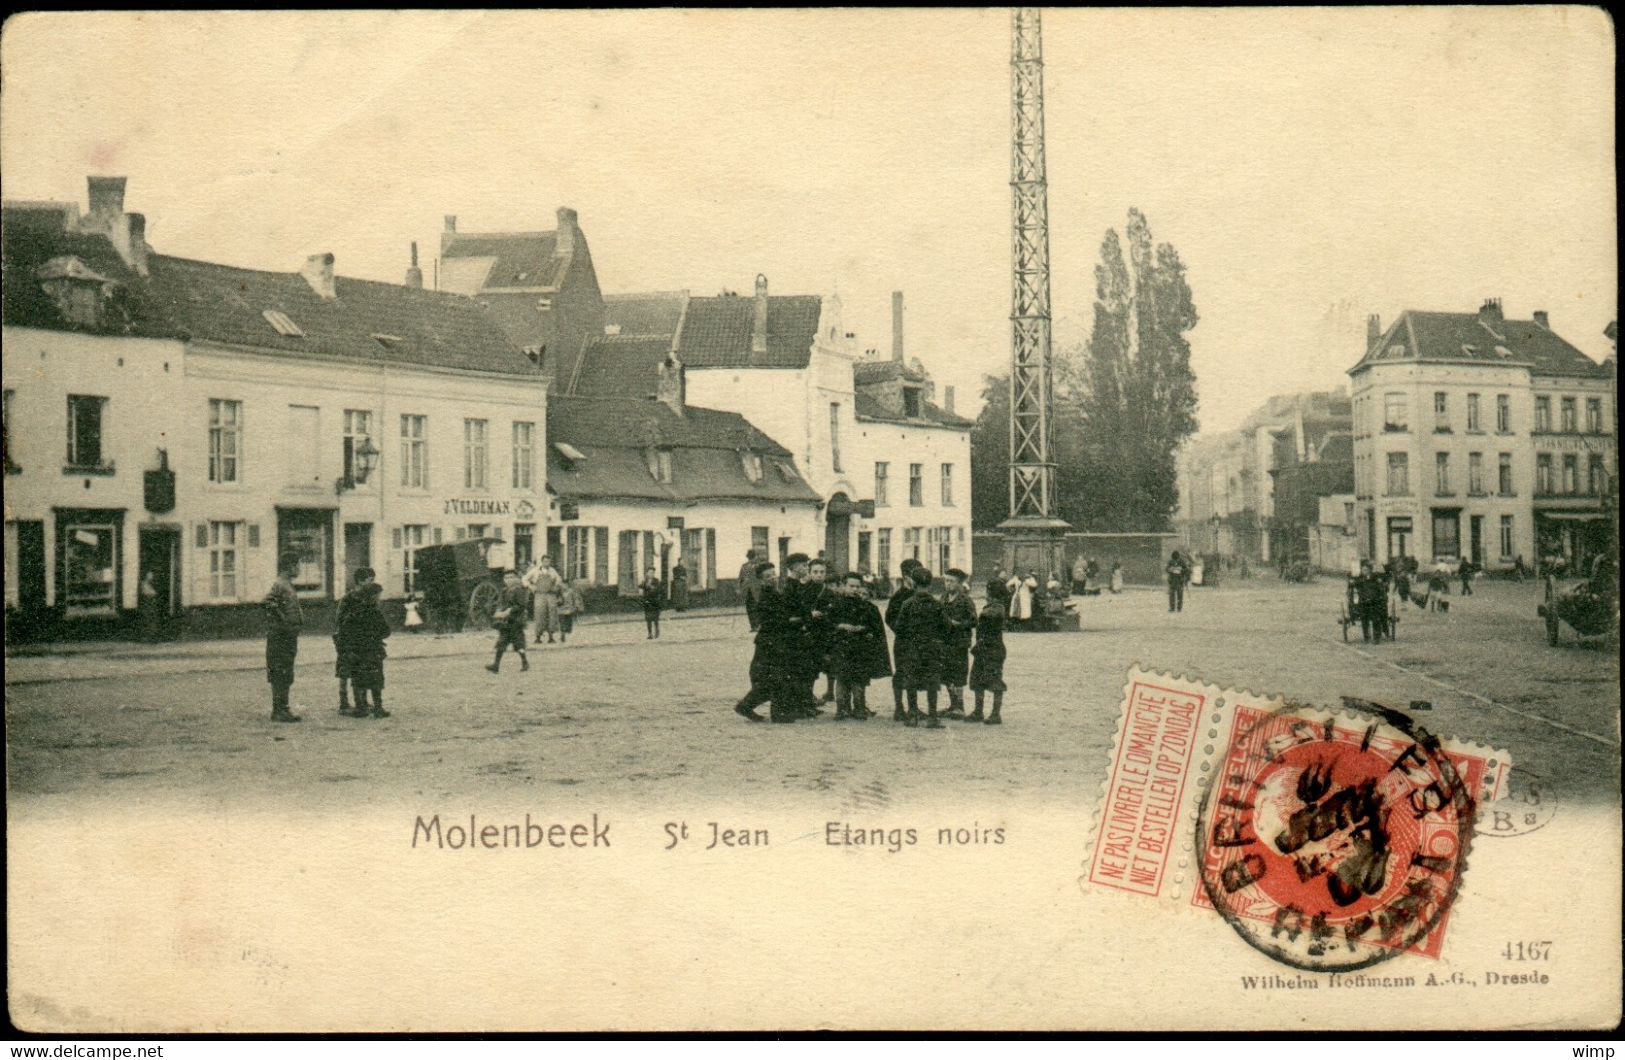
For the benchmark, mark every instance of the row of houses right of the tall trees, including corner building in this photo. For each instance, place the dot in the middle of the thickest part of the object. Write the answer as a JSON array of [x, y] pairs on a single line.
[[1467, 437]]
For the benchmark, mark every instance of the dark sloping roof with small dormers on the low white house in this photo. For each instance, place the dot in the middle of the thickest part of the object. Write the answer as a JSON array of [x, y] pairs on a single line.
[[615, 435]]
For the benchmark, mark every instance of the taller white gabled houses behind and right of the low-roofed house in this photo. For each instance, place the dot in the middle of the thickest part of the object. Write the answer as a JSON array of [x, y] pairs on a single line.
[[890, 466]]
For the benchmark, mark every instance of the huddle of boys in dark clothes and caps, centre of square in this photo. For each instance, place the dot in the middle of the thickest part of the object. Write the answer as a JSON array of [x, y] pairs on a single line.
[[820, 625]]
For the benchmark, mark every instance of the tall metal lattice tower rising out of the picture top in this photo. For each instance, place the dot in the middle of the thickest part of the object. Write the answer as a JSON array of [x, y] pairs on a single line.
[[1033, 471]]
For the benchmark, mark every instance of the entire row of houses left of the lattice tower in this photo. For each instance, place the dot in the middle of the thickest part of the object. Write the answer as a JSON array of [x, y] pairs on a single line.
[[183, 424]]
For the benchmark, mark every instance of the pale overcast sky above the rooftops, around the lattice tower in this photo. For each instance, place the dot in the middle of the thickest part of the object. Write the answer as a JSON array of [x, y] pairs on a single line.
[[1312, 167]]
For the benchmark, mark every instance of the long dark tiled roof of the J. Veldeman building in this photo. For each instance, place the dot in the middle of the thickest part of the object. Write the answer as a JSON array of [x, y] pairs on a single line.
[[368, 321]]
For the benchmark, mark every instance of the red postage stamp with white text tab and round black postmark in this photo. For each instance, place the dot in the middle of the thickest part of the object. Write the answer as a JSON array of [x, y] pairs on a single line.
[[1328, 838]]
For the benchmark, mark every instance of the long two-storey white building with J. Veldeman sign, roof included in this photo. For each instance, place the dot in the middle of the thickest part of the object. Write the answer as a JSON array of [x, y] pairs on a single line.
[[193, 422]]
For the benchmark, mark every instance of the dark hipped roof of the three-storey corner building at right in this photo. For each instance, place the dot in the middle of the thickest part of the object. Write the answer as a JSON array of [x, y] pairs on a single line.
[[1419, 336]]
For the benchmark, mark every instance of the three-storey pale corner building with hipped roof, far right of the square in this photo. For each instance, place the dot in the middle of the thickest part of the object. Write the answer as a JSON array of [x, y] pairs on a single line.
[[1484, 438]]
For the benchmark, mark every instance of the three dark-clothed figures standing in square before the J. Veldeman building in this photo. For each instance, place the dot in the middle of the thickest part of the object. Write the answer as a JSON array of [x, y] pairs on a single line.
[[358, 638]]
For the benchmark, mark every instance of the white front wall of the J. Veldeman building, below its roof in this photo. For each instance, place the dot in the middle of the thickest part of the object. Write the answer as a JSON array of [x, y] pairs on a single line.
[[258, 446]]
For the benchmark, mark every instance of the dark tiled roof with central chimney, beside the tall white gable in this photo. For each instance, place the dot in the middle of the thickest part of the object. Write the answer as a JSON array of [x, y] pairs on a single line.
[[717, 332]]
